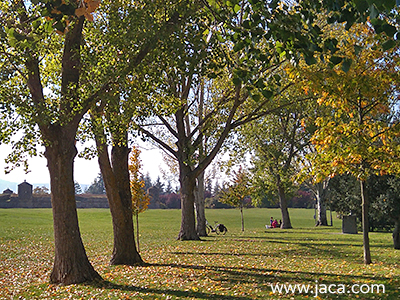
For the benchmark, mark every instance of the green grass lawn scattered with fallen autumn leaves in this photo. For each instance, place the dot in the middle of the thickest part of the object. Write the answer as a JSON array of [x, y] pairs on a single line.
[[239, 265]]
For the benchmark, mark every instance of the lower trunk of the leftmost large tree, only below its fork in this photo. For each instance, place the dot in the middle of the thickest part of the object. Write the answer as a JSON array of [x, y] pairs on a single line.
[[71, 264]]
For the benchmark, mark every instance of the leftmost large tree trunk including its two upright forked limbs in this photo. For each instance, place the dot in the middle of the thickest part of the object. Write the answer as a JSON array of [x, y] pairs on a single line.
[[71, 264]]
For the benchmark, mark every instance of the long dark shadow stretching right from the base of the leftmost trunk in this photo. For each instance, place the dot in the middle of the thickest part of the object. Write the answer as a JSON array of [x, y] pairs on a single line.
[[176, 293]]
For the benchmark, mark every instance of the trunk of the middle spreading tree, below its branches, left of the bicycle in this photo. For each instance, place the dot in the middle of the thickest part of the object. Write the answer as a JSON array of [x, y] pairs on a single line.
[[188, 224]]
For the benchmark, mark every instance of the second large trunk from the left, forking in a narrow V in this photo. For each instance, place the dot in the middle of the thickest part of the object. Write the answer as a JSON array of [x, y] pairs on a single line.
[[116, 182]]
